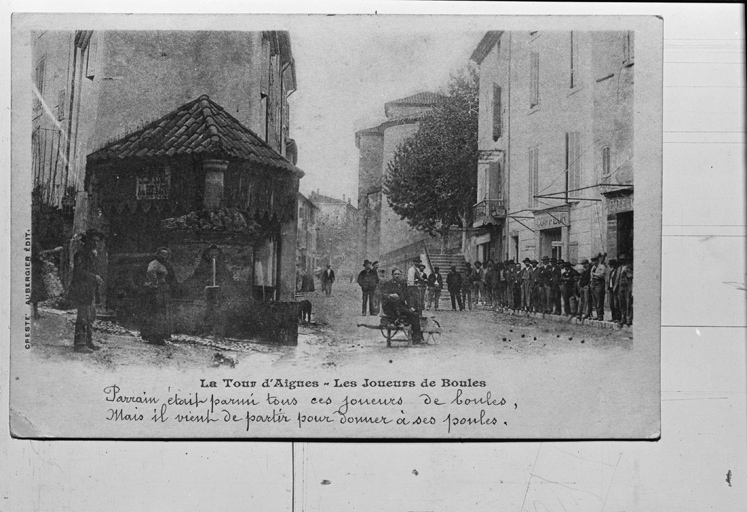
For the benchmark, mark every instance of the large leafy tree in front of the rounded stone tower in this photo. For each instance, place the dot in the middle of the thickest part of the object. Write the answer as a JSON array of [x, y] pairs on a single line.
[[432, 179]]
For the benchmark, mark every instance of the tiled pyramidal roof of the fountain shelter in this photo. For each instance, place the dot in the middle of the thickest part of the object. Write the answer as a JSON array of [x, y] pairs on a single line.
[[199, 127]]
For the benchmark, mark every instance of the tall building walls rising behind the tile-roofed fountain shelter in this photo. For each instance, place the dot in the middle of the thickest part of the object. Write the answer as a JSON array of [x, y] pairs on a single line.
[[96, 87]]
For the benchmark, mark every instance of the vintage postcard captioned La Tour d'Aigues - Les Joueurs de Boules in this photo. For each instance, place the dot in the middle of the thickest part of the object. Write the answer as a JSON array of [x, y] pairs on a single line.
[[353, 226]]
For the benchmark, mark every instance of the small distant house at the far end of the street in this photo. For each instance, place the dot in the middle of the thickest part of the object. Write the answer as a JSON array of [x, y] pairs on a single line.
[[337, 233]]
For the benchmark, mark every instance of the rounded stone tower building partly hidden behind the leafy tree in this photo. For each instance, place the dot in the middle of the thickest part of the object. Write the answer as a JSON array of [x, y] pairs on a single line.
[[384, 236]]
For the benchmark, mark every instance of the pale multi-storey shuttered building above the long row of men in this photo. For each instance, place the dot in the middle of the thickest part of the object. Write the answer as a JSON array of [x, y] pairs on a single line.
[[555, 172]]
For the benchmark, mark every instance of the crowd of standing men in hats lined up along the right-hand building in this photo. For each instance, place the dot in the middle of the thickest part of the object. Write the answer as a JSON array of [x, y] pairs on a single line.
[[549, 286]]
